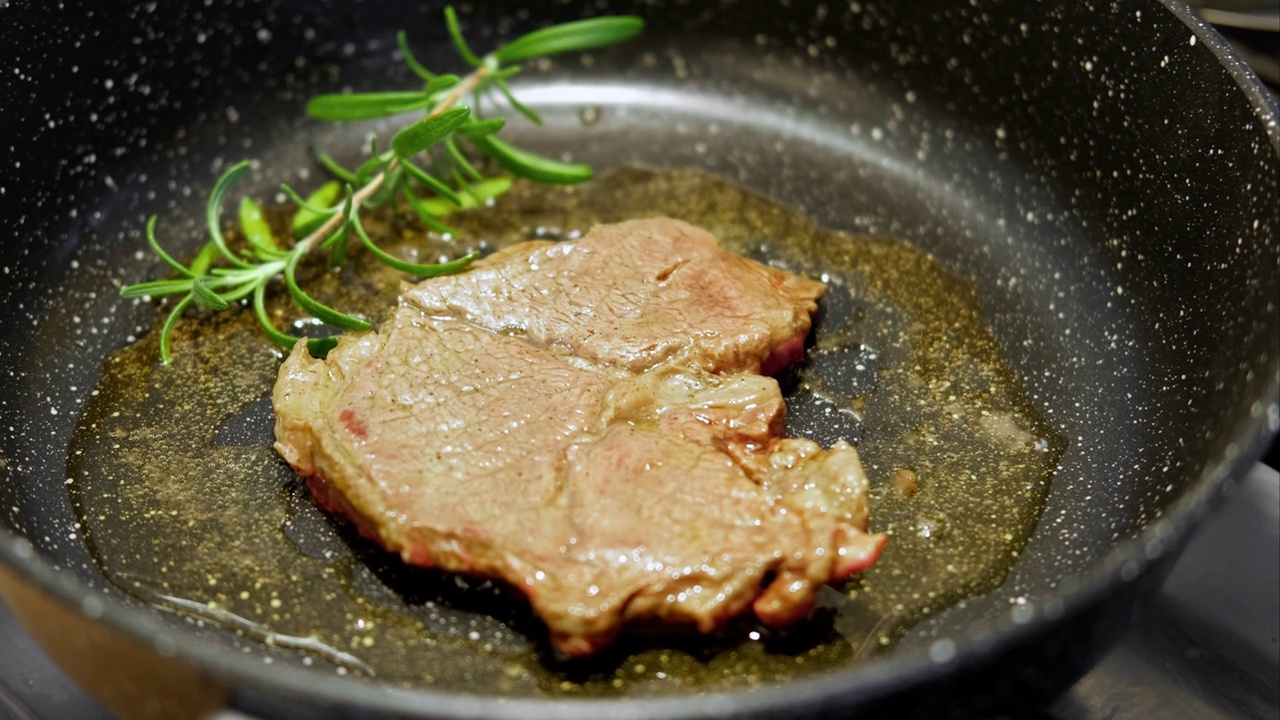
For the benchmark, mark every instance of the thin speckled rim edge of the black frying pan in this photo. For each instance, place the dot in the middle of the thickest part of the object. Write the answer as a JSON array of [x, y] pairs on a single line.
[[866, 682]]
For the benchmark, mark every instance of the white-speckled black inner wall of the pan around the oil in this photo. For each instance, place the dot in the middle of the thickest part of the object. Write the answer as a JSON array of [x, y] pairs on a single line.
[[1124, 256]]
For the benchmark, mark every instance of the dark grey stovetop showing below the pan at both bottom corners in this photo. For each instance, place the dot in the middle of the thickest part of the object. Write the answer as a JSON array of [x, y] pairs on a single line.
[[1206, 649]]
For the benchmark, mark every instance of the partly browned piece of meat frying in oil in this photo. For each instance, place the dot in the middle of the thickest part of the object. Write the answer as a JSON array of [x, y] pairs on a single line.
[[588, 422]]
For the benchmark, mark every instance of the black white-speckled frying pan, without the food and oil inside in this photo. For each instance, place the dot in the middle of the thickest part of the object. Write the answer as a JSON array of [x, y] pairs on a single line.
[[1105, 172]]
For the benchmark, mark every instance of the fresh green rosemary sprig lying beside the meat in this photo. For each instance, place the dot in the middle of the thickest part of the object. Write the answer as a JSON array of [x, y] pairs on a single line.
[[449, 136]]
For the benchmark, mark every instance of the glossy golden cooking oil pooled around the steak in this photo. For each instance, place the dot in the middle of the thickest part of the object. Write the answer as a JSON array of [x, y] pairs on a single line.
[[188, 505]]
